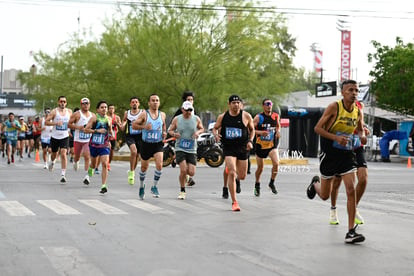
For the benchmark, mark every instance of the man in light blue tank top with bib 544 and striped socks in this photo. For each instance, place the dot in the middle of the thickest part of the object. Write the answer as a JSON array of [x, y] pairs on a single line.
[[152, 124]]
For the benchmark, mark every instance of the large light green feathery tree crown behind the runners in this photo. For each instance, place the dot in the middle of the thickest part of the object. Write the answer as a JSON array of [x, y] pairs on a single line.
[[166, 48]]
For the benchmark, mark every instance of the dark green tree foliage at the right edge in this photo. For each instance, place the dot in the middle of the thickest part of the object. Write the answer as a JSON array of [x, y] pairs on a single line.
[[393, 83]]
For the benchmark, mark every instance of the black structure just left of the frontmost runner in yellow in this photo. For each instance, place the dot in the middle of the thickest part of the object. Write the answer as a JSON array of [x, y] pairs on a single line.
[[302, 137]]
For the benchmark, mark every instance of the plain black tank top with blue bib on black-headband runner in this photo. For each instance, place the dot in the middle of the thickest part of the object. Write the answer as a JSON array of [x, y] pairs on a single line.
[[233, 131]]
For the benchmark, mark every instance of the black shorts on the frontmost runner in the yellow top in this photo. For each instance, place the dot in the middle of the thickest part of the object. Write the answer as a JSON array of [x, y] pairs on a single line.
[[336, 163]]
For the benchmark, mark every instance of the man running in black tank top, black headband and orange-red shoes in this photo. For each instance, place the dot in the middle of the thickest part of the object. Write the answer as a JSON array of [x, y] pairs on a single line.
[[236, 135]]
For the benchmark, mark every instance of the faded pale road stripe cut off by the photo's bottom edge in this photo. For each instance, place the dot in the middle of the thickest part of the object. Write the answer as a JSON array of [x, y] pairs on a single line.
[[69, 261]]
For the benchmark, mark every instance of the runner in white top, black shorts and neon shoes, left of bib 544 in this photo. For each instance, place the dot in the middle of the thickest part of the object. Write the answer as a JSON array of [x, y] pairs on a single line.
[[133, 137]]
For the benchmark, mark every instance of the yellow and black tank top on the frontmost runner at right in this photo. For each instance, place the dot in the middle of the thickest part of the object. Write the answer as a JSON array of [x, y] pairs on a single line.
[[344, 124]]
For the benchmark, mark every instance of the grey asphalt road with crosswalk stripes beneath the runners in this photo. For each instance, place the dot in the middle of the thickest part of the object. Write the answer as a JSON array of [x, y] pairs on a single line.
[[48, 228]]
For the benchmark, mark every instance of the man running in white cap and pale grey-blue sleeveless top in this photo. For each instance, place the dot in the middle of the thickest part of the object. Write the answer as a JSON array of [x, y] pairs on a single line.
[[186, 128]]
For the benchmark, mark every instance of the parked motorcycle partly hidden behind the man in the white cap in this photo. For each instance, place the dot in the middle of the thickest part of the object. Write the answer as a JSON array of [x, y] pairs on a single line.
[[207, 148]]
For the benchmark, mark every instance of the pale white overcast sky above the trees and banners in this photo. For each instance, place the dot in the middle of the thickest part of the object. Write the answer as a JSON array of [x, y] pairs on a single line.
[[32, 25]]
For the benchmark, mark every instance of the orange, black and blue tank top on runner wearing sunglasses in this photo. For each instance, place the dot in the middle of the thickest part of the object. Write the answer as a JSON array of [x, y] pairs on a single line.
[[268, 123]]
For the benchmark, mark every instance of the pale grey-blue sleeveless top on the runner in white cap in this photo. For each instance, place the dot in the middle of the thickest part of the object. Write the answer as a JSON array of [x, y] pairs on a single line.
[[186, 128]]
